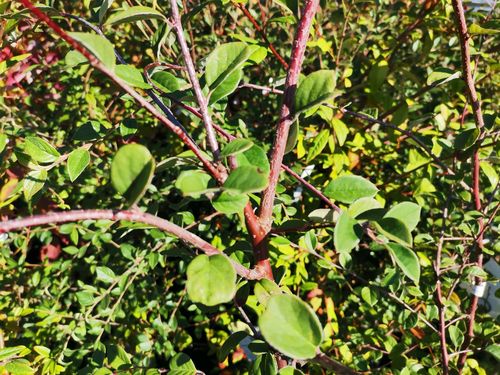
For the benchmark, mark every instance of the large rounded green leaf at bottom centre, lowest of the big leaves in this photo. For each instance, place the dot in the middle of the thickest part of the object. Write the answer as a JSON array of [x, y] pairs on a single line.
[[291, 326]]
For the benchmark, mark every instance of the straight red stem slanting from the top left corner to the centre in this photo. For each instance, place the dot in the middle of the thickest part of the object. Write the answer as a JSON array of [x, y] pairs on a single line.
[[94, 62]]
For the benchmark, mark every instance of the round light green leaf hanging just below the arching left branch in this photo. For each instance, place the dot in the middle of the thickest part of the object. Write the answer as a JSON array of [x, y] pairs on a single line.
[[211, 280]]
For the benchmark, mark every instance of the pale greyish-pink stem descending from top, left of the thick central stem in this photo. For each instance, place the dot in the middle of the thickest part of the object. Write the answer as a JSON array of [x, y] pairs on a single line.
[[202, 100]]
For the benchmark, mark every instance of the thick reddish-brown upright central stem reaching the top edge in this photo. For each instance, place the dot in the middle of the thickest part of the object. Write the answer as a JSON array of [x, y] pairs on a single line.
[[286, 113]]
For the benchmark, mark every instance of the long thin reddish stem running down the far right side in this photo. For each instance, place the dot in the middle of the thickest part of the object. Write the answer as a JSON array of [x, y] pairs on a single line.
[[476, 191]]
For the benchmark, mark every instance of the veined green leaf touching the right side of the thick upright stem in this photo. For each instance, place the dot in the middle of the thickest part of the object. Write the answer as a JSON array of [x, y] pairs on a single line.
[[316, 88]]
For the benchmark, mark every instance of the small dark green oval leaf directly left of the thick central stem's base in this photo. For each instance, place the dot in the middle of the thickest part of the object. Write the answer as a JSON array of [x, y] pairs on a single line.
[[246, 179]]
